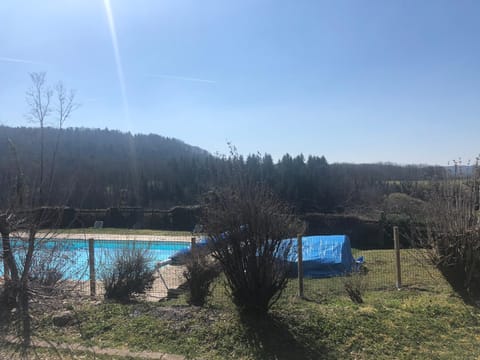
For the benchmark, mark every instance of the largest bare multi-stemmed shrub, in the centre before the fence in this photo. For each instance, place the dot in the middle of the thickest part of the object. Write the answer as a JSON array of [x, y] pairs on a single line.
[[245, 224]]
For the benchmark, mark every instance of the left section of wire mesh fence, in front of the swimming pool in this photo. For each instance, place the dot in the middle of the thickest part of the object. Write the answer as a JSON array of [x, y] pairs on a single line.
[[77, 263]]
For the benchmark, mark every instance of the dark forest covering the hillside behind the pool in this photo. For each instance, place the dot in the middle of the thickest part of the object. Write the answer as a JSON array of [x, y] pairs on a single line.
[[96, 168]]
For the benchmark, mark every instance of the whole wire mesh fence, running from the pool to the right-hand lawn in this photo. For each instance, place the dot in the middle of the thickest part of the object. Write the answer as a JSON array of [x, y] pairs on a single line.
[[82, 259]]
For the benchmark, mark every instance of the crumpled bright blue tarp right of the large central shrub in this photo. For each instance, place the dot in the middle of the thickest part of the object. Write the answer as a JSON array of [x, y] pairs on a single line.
[[324, 256]]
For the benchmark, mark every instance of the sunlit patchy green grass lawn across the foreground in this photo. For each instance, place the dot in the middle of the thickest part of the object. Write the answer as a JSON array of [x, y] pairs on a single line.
[[424, 320]]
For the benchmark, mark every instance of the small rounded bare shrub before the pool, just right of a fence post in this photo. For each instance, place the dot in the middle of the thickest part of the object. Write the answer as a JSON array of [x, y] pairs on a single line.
[[130, 273]]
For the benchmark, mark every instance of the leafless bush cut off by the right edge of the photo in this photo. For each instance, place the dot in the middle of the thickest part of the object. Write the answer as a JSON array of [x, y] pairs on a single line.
[[452, 233]]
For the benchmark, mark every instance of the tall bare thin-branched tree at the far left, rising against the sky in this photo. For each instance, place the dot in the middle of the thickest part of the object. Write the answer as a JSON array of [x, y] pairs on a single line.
[[25, 214]]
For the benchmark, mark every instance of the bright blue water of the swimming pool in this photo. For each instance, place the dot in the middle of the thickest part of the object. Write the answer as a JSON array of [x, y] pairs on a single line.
[[72, 255]]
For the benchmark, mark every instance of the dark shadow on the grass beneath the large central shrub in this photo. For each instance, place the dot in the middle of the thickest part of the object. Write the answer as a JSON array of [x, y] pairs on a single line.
[[271, 338]]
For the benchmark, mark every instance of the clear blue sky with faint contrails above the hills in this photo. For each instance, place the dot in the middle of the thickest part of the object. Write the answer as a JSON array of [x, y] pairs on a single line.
[[356, 81]]
